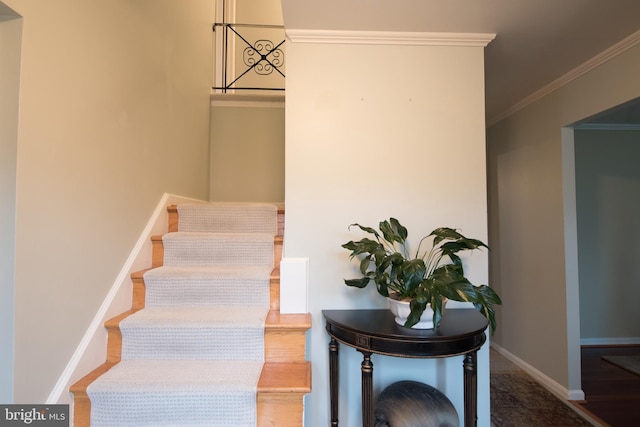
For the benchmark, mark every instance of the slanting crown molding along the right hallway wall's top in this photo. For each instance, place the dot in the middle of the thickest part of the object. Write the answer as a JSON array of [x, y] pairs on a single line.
[[587, 66]]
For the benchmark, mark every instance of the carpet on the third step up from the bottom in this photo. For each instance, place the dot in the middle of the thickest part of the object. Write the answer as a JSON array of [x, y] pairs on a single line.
[[212, 286]]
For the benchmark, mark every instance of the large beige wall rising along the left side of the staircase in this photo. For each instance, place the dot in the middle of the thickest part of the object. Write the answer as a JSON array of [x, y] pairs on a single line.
[[114, 111]]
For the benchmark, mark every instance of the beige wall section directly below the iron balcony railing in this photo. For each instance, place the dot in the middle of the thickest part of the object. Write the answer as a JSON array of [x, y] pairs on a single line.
[[247, 152]]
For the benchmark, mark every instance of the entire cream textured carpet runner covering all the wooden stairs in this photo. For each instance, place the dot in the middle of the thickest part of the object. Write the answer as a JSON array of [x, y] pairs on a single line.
[[193, 356]]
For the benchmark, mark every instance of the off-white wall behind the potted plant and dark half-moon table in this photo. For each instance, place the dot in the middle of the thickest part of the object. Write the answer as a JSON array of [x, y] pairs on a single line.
[[374, 131]]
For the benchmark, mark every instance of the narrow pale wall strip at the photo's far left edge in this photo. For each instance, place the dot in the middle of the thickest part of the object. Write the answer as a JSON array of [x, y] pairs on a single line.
[[10, 41]]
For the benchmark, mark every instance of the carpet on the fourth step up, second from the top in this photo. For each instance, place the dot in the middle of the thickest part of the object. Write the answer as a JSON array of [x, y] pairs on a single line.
[[207, 249]]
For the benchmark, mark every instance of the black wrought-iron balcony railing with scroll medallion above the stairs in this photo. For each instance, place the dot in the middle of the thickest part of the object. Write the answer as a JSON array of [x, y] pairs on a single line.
[[248, 57]]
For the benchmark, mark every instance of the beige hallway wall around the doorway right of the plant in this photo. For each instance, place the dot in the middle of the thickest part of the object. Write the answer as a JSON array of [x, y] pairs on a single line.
[[525, 163]]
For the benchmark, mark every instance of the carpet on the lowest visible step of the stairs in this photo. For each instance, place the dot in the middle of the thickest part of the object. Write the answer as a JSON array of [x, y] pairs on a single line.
[[175, 392]]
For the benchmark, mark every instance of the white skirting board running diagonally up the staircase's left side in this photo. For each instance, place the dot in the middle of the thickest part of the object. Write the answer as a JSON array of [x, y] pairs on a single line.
[[92, 349]]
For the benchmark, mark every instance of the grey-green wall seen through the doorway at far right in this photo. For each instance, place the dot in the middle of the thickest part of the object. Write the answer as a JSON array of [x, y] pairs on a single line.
[[608, 205]]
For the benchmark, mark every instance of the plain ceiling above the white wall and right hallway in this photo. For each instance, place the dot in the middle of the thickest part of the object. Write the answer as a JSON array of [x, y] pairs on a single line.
[[537, 41]]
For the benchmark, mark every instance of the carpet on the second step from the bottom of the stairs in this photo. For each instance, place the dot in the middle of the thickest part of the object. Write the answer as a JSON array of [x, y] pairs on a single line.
[[194, 333]]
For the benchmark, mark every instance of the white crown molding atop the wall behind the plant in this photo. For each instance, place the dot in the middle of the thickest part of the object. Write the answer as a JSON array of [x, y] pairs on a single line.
[[389, 38]]
